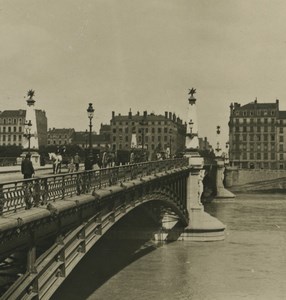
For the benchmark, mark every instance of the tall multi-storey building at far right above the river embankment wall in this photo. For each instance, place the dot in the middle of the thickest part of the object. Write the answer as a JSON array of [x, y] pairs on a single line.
[[257, 135]]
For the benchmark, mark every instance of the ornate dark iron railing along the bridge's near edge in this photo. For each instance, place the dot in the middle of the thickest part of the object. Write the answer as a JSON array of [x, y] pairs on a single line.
[[28, 193]]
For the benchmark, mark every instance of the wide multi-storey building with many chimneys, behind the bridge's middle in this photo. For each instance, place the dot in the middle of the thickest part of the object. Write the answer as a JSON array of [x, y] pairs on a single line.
[[154, 133]]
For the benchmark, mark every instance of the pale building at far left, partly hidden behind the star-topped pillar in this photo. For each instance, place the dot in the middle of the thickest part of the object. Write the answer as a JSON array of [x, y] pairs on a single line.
[[12, 127]]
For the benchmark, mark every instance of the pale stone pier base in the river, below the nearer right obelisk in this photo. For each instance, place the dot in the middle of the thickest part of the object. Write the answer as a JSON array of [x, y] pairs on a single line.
[[202, 226]]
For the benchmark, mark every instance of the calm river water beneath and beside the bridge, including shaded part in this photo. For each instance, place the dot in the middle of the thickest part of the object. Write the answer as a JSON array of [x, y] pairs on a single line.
[[249, 264]]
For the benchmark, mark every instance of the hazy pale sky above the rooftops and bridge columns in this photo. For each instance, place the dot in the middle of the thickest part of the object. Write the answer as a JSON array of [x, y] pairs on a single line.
[[141, 55]]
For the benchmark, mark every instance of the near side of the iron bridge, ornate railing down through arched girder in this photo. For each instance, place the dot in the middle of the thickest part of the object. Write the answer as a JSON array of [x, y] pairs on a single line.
[[75, 210]]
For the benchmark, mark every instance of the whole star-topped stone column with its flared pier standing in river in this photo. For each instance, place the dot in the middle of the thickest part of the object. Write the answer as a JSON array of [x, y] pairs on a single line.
[[202, 226]]
